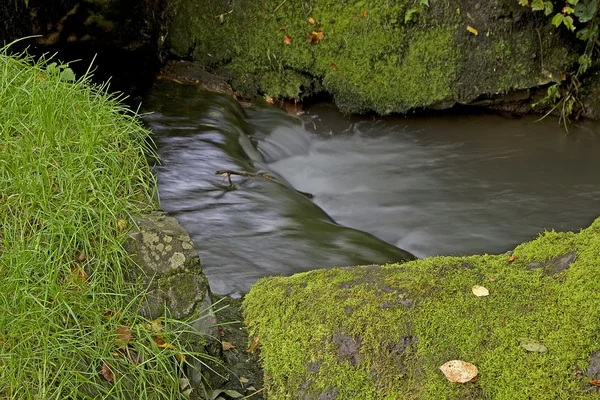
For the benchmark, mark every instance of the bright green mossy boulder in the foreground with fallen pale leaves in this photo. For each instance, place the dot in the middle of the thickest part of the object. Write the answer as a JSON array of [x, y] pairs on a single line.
[[382, 332]]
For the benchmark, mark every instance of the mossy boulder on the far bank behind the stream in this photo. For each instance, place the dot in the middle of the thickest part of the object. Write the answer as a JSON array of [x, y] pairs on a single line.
[[368, 54]]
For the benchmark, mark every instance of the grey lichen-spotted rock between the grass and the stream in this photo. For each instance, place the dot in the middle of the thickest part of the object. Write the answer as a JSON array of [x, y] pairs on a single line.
[[168, 266]]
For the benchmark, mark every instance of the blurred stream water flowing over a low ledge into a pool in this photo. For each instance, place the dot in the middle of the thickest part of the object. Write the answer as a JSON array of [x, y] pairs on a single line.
[[445, 184]]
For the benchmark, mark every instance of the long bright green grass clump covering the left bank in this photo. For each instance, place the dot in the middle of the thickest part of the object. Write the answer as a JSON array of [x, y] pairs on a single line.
[[72, 169]]
